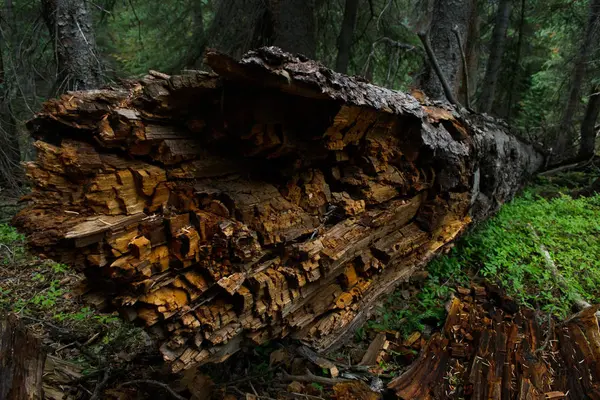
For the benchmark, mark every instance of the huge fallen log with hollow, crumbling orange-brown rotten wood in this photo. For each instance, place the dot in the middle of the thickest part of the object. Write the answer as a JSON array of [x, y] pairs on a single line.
[[275, 197]]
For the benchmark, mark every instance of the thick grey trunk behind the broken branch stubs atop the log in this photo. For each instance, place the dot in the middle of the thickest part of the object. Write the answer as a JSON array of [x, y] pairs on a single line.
[[446, 15]]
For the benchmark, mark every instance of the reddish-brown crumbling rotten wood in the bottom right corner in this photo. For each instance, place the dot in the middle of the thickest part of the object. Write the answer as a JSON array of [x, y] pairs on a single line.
[[491, 349]]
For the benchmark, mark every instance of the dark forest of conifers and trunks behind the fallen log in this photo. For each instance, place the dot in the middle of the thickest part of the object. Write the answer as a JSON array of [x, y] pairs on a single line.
[[534, 63]]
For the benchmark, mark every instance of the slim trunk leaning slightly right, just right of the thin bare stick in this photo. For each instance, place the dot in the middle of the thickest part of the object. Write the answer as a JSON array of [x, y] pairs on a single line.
[[495, 60]]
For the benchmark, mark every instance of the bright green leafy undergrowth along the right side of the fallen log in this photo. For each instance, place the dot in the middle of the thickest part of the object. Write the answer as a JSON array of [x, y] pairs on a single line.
[[507, 251]]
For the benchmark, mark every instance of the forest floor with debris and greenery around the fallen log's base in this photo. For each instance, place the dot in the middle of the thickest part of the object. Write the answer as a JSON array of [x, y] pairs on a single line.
[[97, 355]]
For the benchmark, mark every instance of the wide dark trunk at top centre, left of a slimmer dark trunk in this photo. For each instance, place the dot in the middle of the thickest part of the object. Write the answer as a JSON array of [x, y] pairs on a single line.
[[294, 25]]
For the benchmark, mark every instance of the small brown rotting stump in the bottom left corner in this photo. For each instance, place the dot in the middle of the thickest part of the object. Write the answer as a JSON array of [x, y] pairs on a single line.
[[21, 362]]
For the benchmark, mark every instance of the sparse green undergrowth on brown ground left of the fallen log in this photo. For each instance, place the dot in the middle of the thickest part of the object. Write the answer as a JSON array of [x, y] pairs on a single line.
[[42, 293]]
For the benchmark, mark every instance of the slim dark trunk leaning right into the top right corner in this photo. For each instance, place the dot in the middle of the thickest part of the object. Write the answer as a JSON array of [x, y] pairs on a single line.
[[565, 129]]
